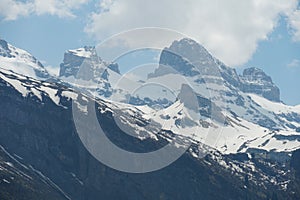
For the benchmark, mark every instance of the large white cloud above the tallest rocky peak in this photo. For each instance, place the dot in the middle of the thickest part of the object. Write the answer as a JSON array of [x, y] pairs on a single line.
[[229, 29]]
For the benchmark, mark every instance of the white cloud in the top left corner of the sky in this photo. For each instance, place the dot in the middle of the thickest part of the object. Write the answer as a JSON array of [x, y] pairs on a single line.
[[13, 9]]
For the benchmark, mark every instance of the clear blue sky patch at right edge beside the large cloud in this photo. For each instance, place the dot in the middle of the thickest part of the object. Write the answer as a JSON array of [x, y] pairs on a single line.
[[279, 57]]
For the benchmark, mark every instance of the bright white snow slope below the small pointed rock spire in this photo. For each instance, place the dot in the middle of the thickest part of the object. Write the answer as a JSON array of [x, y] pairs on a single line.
[[233, 135]]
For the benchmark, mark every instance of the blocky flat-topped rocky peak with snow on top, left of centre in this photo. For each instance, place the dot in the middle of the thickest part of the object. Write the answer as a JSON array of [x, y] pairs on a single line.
[[83, 68]]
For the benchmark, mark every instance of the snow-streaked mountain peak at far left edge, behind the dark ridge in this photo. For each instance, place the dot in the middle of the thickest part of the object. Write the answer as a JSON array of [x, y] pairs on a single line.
[[20, 61]]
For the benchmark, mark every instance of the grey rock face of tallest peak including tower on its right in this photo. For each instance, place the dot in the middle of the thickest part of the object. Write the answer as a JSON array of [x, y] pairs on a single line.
[[190, 59]]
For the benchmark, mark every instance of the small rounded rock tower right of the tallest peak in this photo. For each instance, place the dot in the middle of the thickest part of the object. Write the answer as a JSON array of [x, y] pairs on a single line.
[[255, 81]]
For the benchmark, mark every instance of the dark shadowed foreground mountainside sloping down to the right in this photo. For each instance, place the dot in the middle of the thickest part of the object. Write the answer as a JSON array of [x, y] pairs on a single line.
[[45, 143]]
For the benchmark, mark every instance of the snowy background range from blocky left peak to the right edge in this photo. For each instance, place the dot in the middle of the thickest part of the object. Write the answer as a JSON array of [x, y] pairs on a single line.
[[242, 107]]
